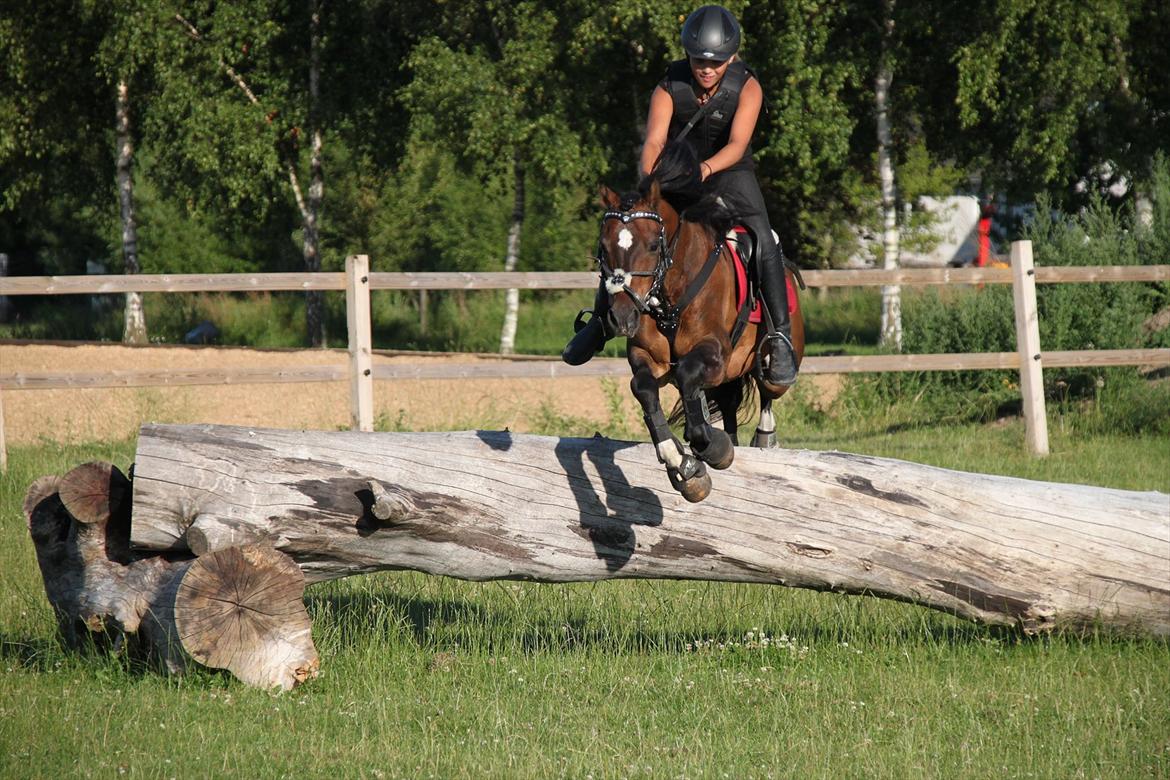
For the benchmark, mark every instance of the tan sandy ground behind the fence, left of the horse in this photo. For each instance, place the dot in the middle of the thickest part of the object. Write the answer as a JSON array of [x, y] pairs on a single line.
[[97, 415]]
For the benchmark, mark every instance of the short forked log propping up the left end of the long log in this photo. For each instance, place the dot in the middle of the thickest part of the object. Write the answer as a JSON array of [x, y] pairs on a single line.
[[150, 606]]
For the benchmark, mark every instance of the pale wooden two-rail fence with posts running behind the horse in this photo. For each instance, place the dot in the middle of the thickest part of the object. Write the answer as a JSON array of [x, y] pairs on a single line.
[[357, 281]]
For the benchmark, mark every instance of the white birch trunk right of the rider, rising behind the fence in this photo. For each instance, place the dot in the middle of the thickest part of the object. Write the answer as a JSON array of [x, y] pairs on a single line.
[[891, 294]]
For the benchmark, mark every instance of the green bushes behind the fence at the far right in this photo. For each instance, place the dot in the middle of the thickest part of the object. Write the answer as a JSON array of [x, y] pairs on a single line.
[[1072, 316]]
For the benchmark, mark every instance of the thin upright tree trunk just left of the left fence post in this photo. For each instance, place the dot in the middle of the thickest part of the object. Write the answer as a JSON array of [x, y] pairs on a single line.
[[315, 300]]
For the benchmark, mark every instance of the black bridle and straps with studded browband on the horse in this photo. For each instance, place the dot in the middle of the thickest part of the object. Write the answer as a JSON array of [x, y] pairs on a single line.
[[656, 303]]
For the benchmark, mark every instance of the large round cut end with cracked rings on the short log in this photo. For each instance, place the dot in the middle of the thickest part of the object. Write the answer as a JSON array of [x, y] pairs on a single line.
[[243, 610]]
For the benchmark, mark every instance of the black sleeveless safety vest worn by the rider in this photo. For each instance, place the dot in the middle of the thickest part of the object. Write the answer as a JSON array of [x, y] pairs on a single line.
[[713, 132]]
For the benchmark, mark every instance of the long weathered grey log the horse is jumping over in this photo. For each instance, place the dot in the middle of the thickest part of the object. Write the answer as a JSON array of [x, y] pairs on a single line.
[[483, 506]]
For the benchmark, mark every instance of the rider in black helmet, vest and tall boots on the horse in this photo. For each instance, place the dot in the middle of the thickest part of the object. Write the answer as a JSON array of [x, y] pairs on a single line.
[[714, 82]]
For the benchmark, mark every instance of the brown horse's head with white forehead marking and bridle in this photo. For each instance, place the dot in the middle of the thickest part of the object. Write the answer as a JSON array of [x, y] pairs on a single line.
[[635, 254]]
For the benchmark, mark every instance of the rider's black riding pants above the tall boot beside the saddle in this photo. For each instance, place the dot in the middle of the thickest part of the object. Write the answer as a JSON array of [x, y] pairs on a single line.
[[741, 194]]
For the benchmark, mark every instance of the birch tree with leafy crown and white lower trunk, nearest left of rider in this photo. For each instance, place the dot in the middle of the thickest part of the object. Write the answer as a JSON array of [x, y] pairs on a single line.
[[497, 96]]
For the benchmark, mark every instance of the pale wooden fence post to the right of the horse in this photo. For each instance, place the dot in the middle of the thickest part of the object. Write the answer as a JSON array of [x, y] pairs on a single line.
[[1028, 344]]
